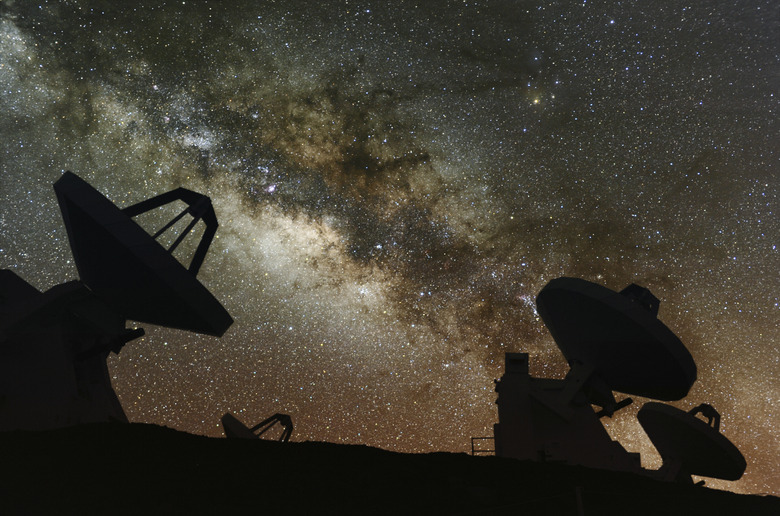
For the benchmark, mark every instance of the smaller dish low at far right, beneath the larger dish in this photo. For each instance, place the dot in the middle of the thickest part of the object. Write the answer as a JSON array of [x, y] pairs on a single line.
[[689, 445]]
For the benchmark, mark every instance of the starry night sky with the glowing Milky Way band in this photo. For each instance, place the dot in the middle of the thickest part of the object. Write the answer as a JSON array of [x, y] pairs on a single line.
[[396, 181]]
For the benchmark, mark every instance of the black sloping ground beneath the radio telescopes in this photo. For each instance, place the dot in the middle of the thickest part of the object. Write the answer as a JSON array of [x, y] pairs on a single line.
[[146, 469]]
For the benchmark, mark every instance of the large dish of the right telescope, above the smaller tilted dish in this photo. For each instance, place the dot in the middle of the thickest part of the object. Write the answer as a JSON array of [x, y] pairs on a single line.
[[618, 337]]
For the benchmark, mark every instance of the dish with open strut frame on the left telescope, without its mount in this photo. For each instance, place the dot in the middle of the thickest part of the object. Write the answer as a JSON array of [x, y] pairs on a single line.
[[129, 270]]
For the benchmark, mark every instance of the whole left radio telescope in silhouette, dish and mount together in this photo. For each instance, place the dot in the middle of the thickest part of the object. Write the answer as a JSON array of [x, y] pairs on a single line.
[[54, 345]]
